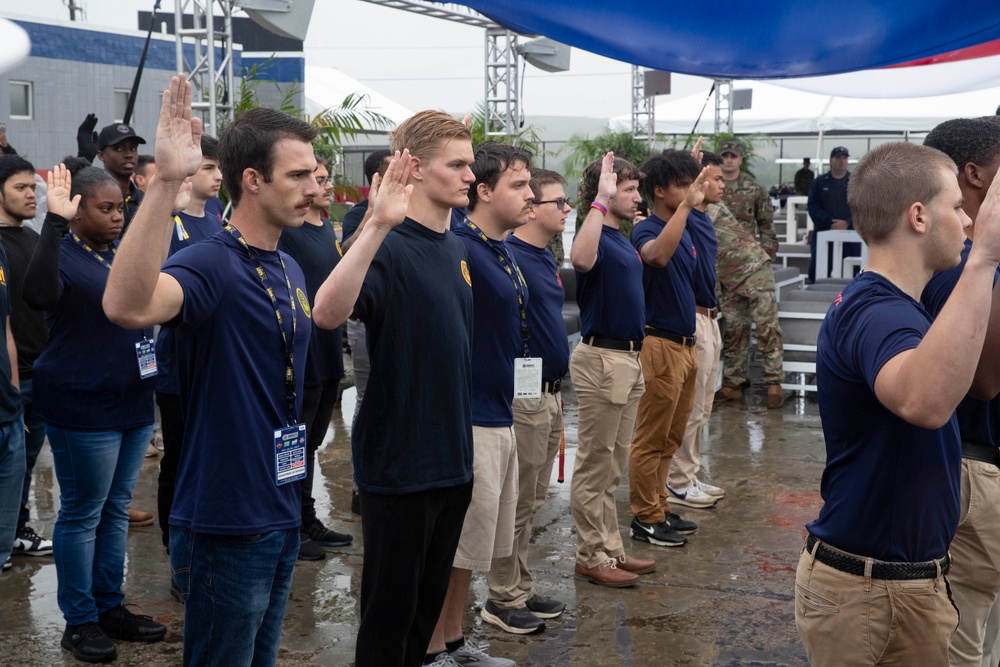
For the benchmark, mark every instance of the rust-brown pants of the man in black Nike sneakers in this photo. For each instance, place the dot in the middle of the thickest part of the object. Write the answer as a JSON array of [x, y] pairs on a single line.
[[670, 372]]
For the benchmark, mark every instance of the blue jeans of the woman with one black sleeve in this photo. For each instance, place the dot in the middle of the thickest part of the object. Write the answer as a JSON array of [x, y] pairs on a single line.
[[97, 471]]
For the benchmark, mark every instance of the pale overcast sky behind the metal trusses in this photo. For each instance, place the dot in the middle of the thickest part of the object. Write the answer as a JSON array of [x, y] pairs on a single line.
[[418, 61]]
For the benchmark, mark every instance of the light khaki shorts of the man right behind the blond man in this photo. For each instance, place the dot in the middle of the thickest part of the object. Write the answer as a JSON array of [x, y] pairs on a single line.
[[488, 531]]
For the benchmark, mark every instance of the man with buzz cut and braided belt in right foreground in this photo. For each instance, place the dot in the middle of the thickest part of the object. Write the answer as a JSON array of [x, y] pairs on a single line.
[[874, 563]]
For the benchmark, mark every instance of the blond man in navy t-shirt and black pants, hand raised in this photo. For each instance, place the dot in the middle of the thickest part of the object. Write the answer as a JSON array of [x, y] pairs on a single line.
[[407, 278]]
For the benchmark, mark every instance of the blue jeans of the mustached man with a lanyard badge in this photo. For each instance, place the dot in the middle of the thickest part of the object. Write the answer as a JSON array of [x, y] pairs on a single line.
[[235, 589]]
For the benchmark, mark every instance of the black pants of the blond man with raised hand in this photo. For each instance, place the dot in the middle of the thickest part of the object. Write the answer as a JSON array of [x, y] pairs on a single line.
[[410, 544]]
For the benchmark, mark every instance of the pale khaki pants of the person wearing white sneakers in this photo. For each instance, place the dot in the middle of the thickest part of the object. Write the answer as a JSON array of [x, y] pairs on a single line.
[[687, 459]]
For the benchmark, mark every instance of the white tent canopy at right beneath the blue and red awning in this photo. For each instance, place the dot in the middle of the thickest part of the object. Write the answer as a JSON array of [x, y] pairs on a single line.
[[778, 110]]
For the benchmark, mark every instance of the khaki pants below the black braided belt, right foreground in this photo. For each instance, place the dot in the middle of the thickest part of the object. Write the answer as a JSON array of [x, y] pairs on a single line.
[[846, 620]]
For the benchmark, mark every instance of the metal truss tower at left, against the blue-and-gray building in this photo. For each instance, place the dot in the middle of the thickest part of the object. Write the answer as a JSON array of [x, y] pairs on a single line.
[[210, 72]]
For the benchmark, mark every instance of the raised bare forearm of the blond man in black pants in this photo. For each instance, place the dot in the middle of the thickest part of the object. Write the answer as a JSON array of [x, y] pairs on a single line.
[[337, 295]]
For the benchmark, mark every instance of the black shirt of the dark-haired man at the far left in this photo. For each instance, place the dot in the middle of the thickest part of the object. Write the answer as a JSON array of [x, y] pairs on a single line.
[[27, 324]]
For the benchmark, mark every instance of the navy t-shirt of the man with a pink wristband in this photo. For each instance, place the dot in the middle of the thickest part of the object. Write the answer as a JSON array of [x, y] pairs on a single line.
[[610, 294]]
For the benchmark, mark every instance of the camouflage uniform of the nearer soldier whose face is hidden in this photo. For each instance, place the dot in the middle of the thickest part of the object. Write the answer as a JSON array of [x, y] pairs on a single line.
[[745, 285]]
